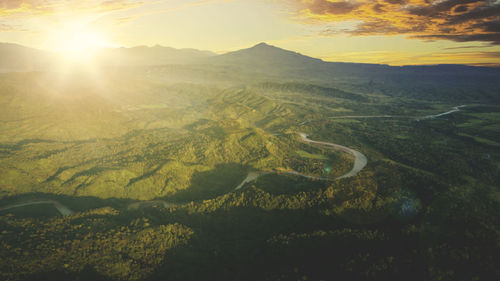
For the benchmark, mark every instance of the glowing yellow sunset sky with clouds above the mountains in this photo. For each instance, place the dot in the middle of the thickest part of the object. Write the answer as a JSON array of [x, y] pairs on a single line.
[[395, 32]]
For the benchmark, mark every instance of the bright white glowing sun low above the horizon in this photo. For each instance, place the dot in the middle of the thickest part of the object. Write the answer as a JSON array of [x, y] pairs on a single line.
[[77, 43]]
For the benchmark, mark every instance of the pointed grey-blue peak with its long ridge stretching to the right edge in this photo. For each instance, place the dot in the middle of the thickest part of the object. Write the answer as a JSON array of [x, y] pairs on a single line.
[[264, 59]]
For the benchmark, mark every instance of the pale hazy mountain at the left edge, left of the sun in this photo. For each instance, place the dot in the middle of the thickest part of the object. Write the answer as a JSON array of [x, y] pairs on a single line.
[[17, 58]]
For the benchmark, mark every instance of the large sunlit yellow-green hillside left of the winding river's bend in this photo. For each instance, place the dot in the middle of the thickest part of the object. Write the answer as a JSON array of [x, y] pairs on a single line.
[[132, 137]]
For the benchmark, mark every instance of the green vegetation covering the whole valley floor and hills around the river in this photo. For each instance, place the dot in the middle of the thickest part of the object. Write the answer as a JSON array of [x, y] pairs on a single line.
[[424, 208]]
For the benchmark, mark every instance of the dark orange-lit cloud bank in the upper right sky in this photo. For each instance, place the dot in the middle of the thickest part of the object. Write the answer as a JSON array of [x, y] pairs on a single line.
[[456, 20]]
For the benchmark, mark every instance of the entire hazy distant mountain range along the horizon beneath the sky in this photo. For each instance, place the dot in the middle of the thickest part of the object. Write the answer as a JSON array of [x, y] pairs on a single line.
[[261, 58]]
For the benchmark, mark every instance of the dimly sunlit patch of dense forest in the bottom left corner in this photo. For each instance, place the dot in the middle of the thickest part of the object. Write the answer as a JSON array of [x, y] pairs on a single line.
[[91, 240]]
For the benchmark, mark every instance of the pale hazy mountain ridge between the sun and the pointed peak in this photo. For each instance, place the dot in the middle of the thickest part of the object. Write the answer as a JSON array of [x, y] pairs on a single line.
[[157, 55]]
